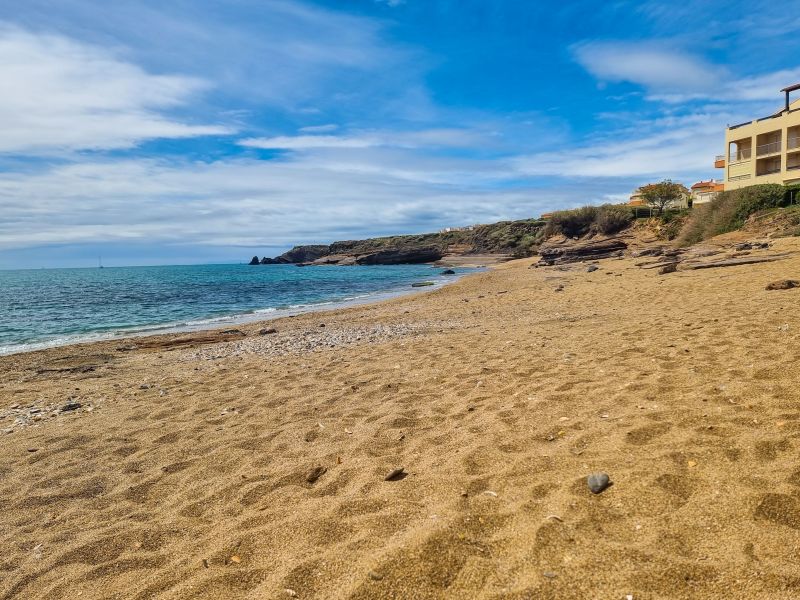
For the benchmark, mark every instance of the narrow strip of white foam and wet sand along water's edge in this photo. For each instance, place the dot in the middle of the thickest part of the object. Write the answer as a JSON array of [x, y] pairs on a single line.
[[212, 324]]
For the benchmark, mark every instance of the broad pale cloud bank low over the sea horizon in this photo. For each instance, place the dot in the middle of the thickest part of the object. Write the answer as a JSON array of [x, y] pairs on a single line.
[[323, 196]]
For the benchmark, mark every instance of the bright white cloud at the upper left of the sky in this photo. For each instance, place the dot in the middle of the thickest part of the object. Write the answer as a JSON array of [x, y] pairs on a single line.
[[59, 94]]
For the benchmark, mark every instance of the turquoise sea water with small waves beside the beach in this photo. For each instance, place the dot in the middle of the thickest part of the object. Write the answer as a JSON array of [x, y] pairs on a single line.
[[49, 307]]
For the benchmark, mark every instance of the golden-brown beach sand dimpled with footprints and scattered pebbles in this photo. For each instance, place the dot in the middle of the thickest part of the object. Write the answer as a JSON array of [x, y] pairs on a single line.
[[185, 471]]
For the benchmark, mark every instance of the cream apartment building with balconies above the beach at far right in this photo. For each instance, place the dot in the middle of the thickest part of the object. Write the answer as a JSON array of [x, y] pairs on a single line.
[[766, 150]]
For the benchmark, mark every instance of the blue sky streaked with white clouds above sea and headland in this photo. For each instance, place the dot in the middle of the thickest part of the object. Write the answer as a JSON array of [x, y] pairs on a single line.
[[196, 131]]
